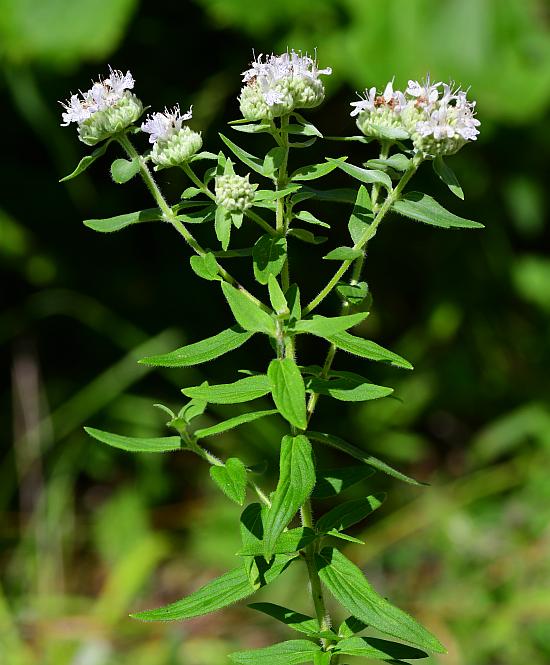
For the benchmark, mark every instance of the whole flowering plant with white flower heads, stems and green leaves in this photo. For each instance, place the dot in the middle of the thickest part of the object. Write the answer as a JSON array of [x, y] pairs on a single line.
[[426, 122]]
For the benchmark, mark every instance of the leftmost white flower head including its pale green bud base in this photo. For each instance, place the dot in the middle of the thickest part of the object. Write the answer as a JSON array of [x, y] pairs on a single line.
[[106, 108]]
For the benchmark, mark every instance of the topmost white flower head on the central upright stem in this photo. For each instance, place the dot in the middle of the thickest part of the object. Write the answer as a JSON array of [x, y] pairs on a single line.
[[277, 84]]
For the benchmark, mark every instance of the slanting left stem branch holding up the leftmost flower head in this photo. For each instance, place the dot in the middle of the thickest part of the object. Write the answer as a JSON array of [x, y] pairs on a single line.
[[170, 217]]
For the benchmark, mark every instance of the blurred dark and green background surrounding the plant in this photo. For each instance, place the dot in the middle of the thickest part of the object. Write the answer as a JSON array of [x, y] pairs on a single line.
[[88, 534]]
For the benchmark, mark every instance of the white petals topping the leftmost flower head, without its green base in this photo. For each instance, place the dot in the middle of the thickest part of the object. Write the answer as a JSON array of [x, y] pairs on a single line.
[[101, 96]]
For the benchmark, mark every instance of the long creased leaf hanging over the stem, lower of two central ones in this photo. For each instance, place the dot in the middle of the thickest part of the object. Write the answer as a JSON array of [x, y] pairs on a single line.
[[296, 480]]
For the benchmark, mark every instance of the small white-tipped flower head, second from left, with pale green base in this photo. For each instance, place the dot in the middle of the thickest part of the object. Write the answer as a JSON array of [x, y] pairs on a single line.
[[173, 142]]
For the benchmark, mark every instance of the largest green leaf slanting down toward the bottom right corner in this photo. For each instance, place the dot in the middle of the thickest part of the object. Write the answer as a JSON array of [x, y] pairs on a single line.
[[347, 584]]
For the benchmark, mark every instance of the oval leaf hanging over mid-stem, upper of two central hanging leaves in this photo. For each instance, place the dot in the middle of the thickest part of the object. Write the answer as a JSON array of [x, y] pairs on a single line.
[[288, 390]]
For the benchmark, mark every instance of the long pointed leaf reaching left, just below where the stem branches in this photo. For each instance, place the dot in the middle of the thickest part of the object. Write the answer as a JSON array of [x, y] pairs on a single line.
[[201, 352]]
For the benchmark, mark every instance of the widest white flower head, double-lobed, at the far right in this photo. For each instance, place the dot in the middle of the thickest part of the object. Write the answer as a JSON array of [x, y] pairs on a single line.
[[438, 119]]
